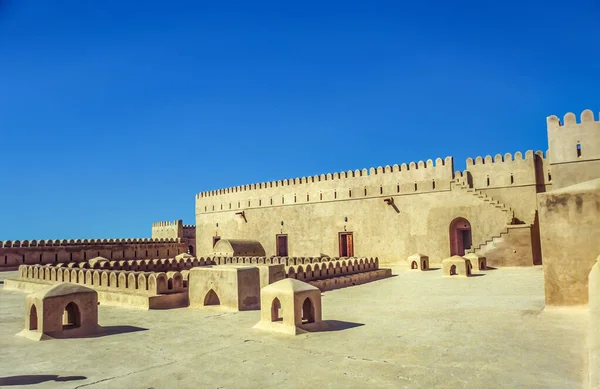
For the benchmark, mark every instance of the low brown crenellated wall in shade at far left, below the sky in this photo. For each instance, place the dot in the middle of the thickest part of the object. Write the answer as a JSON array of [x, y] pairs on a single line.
[[15, 253]]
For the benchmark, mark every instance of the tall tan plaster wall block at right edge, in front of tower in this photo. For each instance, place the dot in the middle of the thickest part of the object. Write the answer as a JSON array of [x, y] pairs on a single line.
[[569, 225]]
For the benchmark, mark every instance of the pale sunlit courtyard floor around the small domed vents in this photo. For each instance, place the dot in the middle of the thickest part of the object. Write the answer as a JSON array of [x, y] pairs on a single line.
[[414, 330]]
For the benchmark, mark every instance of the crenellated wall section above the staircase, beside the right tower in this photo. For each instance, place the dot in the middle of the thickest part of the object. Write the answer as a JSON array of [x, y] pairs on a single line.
[[511, 180]]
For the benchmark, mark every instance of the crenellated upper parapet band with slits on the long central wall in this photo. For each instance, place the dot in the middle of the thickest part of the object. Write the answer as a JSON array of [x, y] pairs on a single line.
[[421, 177]]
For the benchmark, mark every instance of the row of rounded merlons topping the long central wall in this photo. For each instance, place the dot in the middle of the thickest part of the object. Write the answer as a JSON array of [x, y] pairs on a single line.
[[409, 170]]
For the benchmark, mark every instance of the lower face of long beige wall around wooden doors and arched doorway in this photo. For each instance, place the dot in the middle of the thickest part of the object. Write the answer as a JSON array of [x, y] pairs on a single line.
[[414, 223]]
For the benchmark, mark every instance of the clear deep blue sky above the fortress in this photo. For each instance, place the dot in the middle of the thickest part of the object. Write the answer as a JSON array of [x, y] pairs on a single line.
[[114, 114]]
